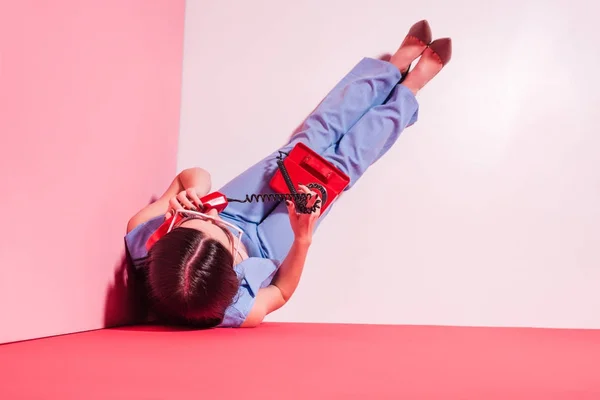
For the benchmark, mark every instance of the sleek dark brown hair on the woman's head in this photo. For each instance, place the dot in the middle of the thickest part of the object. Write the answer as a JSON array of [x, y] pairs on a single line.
[[191, 279]]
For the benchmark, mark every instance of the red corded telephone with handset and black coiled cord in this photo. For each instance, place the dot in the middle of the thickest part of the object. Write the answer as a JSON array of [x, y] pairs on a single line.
[[301, 166]]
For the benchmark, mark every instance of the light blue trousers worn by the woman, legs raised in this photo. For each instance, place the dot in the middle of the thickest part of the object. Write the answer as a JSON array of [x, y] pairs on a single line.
[[356, 124]]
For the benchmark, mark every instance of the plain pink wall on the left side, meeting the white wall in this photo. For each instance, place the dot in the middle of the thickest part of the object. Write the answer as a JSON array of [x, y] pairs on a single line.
[[89, 115]]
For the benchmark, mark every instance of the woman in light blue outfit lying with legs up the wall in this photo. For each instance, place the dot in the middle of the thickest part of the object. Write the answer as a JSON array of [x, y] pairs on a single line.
[[198, 270]]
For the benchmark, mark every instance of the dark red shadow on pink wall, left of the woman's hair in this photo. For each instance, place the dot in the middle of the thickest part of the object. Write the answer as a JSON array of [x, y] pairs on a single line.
[[126, 302]]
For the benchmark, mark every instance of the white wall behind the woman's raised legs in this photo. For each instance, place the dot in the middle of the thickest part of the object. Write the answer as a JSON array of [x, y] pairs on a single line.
[[487, 210]]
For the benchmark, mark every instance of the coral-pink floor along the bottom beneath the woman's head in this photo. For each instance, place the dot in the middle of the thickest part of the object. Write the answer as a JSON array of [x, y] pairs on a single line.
[[306, 361]]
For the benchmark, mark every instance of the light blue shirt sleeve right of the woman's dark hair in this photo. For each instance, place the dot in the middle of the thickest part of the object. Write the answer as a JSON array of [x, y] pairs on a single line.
[[255, 273]]
